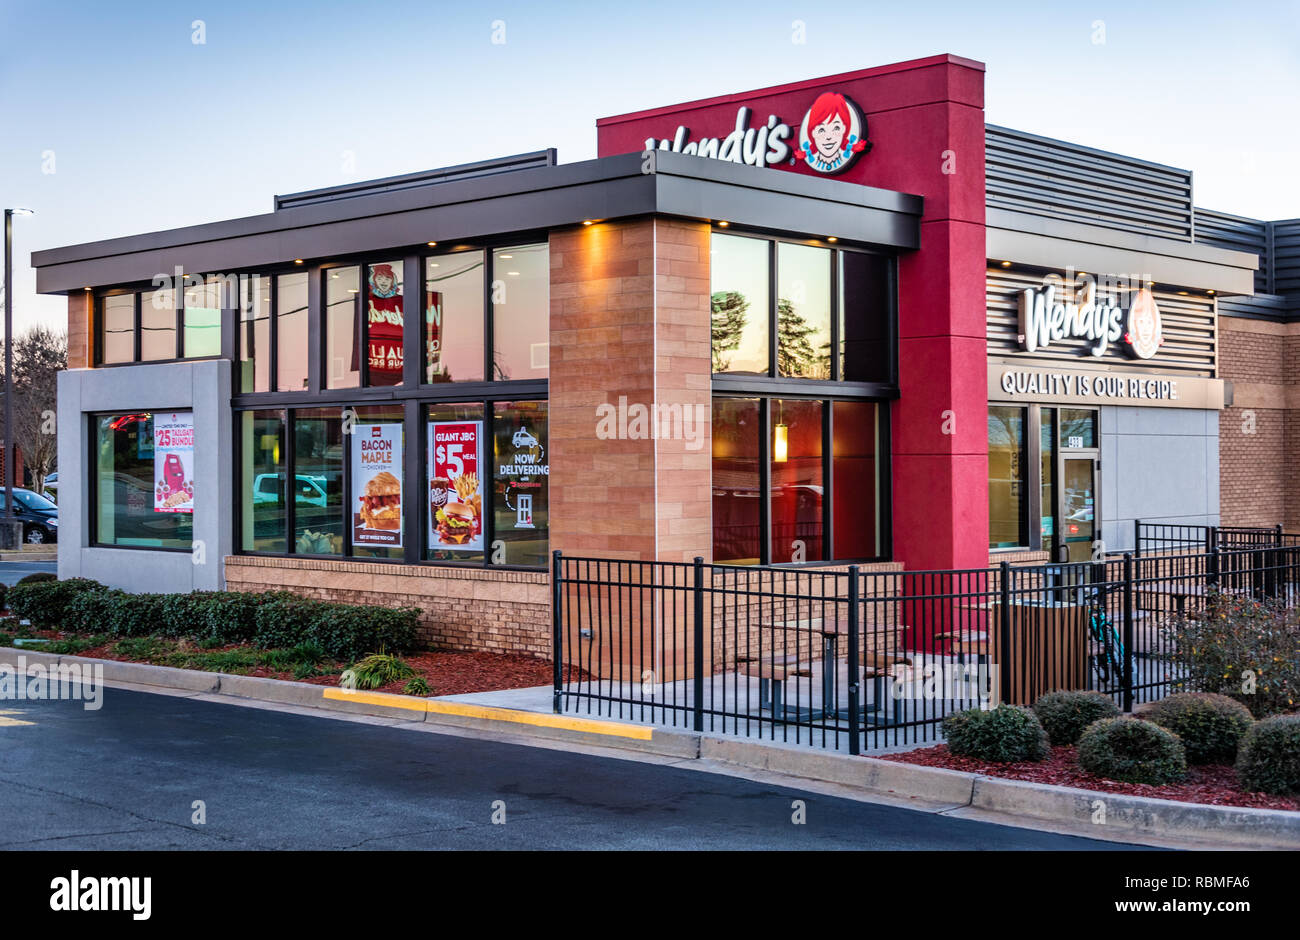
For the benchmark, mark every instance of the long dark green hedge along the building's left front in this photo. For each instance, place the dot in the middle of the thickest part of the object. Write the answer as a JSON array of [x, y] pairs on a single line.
[[271, 621]]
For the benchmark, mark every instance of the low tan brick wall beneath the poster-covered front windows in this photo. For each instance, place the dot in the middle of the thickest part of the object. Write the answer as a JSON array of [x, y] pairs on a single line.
[[461, 609]]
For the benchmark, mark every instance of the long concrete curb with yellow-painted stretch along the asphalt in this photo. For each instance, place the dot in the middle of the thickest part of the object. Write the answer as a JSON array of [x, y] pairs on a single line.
[[943, 790]]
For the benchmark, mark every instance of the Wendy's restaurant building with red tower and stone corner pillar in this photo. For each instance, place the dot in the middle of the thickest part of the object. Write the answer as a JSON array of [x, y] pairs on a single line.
[[835, 322]]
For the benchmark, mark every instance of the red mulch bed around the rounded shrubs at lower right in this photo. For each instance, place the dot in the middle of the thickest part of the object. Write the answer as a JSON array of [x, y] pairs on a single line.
[[1214, 785]]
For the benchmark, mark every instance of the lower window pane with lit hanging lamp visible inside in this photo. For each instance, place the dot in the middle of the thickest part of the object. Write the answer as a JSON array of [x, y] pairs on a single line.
[[798, 482]]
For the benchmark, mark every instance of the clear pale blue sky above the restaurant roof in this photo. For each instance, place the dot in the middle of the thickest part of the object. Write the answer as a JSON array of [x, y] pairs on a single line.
[[150, 131]]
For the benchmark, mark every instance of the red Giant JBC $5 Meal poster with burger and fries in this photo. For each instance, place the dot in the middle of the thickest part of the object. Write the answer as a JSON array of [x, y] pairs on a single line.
[[456, 486]]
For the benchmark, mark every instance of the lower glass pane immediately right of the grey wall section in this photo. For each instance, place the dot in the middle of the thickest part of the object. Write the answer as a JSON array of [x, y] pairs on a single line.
[[265, 510]]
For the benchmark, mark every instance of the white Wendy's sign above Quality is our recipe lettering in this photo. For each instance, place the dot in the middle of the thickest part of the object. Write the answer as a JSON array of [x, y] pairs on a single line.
[[1048, 315]]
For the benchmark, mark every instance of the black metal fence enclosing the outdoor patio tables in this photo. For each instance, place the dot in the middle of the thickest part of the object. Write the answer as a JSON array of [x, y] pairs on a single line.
[[869, 659]]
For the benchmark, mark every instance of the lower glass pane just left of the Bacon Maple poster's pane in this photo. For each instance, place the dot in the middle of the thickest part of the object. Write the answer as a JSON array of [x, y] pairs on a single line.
[[319, 454]]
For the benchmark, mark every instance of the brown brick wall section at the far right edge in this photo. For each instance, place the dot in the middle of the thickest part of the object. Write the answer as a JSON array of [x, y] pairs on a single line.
[[1260, 435]]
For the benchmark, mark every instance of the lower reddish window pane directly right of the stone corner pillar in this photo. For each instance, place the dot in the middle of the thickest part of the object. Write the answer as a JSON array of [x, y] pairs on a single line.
[[738, 482]]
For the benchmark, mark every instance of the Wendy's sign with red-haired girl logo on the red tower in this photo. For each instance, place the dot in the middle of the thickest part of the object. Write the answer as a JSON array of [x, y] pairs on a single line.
[[831, 137]]
